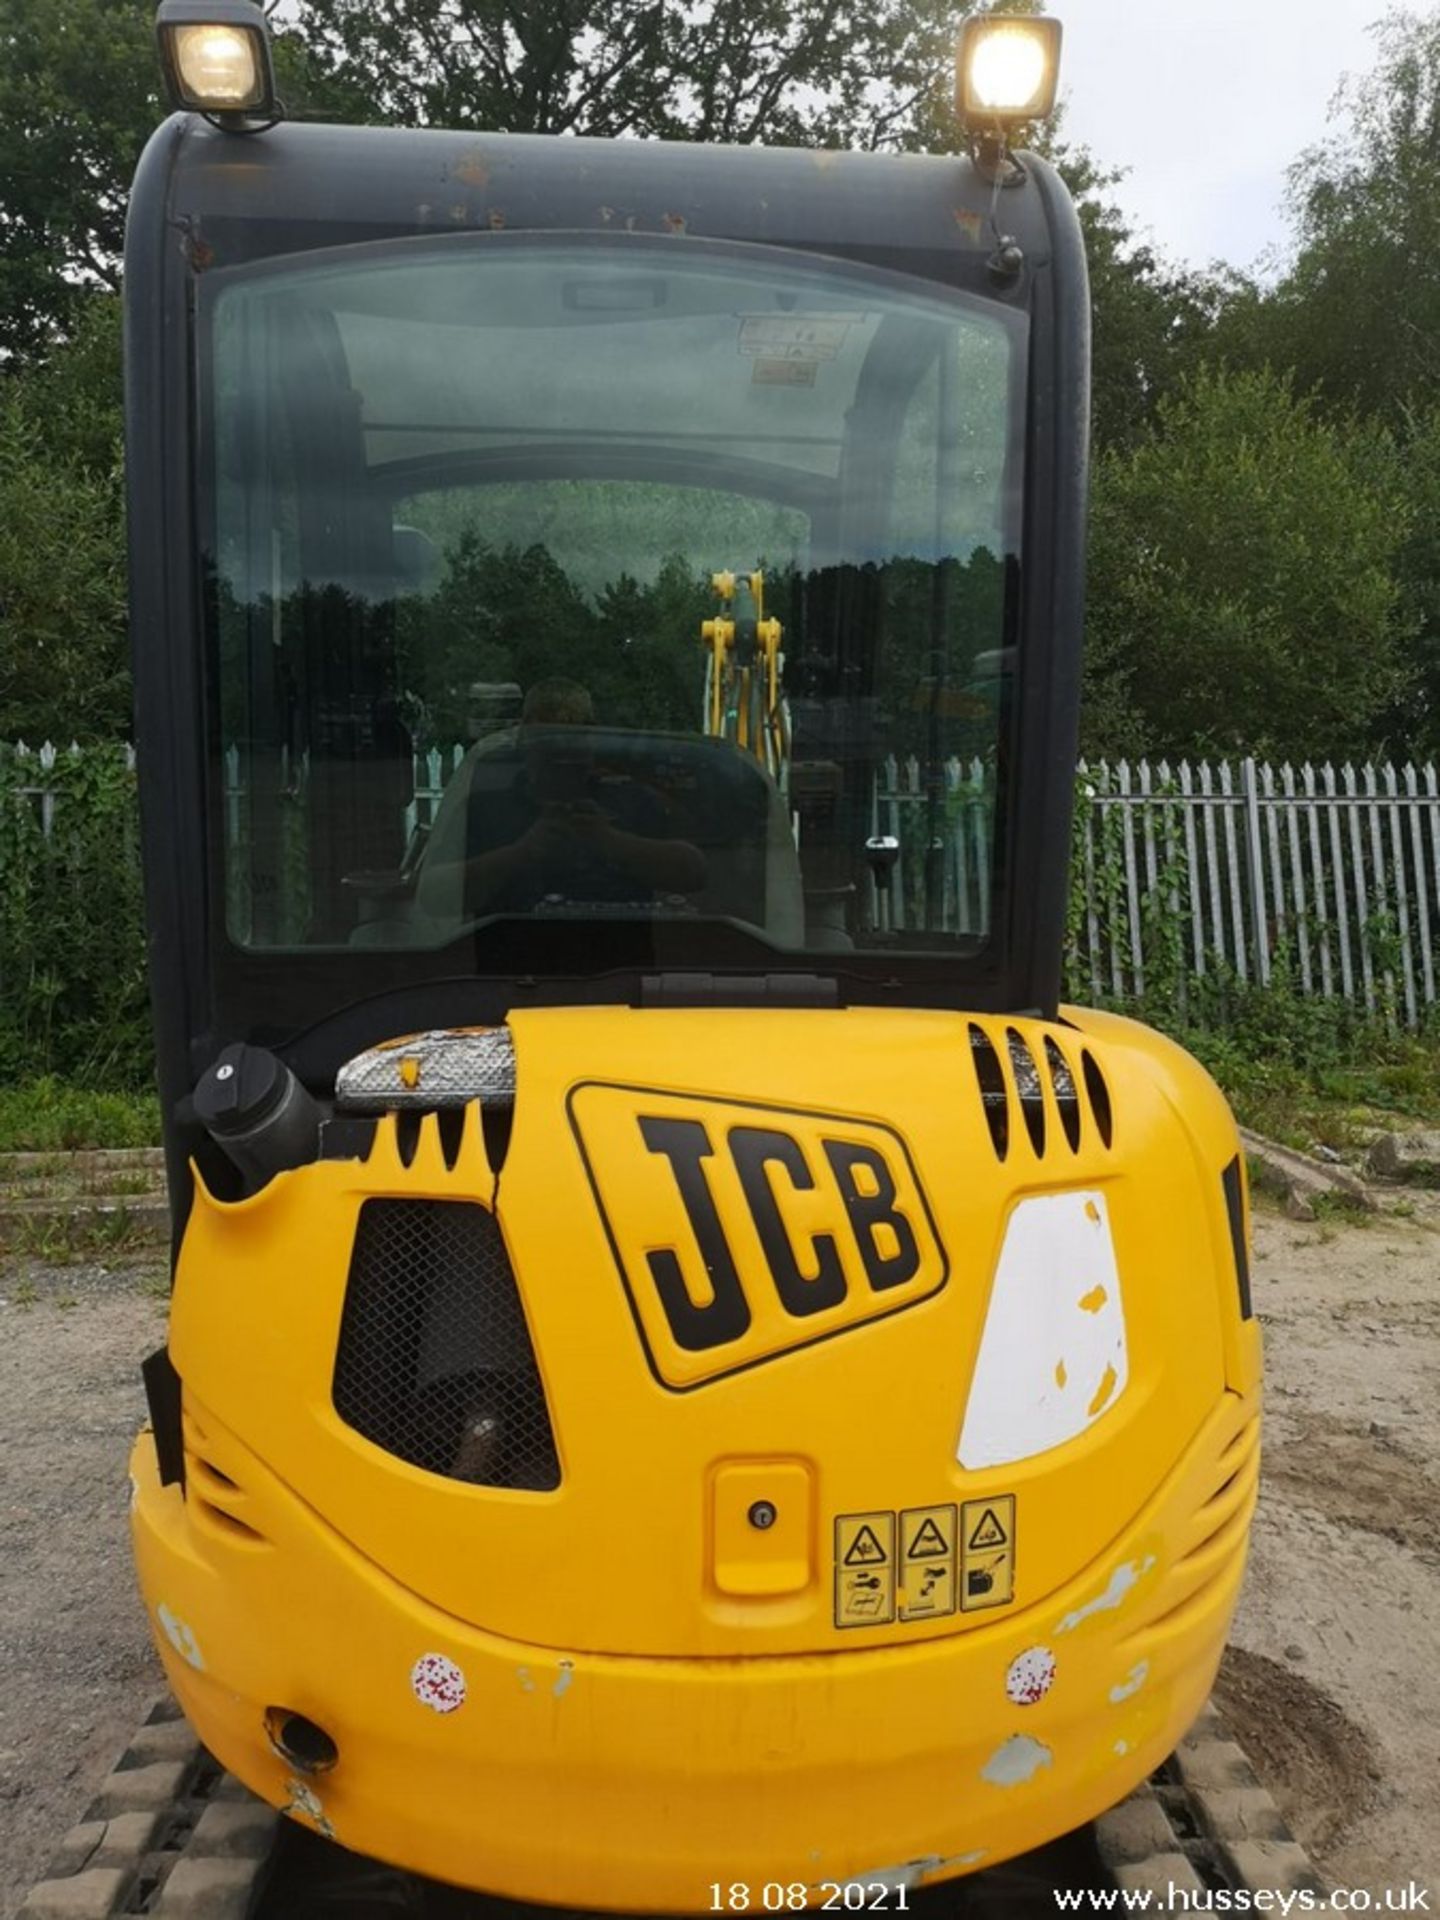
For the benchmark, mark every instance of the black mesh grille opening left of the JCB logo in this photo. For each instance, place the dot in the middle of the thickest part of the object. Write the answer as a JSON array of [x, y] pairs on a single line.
[[435, 1356]]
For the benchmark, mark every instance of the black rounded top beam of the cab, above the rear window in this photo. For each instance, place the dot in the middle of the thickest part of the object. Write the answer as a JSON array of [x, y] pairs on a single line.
[[297, 187]]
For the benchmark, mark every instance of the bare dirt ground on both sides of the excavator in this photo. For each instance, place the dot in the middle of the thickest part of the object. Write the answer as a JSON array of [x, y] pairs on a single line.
[[1333, 1683]]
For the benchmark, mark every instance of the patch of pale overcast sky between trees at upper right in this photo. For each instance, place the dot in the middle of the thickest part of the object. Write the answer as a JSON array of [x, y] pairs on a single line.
[[1209, 103]]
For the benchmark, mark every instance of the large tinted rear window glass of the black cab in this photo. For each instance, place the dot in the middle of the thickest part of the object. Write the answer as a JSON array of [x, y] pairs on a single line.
[[650, 585]]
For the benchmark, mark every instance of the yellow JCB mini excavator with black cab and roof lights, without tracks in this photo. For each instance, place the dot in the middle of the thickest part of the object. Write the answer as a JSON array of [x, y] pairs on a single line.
[[692, 1380]]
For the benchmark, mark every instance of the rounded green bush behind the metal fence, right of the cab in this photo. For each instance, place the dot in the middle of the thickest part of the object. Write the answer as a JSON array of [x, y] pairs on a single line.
[[1243, 581]]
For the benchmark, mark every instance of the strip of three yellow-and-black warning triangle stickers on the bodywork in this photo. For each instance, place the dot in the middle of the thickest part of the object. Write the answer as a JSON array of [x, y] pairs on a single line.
[[923, 1564]]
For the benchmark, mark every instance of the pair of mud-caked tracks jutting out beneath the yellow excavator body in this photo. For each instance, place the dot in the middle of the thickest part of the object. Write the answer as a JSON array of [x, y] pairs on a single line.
[[170, 1835]]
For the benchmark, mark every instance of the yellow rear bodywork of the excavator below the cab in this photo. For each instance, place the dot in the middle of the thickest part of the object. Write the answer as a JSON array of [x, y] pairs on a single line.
[[905, 1460]]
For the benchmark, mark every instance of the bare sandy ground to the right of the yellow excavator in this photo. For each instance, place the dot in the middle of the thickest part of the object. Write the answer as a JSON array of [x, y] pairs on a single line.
[[1333, 1679]]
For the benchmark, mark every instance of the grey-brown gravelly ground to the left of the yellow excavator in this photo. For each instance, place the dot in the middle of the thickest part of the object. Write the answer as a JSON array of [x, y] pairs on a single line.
[[76, 1664]]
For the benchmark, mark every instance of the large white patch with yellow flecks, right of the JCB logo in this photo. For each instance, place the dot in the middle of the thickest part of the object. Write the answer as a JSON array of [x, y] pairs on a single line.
[[1053, 1356]]
